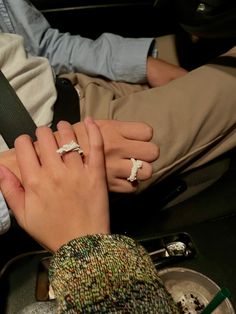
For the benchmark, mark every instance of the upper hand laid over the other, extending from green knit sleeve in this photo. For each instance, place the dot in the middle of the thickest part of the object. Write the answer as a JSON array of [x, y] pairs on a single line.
[[60, 198]]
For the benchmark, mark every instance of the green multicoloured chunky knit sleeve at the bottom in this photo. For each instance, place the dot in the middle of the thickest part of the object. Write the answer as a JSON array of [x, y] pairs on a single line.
[[107, 274]]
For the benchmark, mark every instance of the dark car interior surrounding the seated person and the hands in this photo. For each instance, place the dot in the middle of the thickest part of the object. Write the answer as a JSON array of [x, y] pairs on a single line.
[[205, 223]]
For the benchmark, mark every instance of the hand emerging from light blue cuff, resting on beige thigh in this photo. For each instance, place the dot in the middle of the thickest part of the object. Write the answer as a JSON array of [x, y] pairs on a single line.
[[160, 72]]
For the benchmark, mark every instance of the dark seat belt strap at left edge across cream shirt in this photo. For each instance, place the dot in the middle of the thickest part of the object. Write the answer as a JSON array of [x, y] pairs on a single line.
[[14, 118]]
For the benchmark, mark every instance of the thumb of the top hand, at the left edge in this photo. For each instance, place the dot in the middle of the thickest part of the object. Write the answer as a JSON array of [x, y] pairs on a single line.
[[12, 190]]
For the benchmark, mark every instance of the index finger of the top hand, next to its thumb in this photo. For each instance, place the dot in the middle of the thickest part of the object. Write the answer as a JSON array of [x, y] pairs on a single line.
[[26, 156]]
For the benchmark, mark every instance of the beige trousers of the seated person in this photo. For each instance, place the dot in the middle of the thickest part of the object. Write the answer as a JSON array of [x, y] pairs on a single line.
[[193, 117]]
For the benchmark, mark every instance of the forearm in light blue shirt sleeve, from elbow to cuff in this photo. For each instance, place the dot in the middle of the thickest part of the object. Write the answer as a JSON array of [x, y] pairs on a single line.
[[110, 55]]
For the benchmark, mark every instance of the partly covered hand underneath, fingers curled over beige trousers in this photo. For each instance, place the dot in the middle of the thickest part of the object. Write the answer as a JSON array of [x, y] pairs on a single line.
[[122, 140]]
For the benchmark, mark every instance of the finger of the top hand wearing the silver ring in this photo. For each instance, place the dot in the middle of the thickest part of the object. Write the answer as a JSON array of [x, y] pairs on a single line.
[[66, 136]]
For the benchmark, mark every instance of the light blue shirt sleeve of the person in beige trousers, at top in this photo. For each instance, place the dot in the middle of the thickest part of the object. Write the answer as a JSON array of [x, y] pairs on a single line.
[[110, 55]]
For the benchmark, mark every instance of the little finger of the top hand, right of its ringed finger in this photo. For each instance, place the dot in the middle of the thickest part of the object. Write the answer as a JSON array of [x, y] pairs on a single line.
[[96, 149]]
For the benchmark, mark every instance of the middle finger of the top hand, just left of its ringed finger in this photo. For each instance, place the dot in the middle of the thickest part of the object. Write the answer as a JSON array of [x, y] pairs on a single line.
[[47, 147]]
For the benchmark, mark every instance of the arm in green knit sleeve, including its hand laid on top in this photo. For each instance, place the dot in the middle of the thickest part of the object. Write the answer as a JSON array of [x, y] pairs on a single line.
[[56, 204]]
